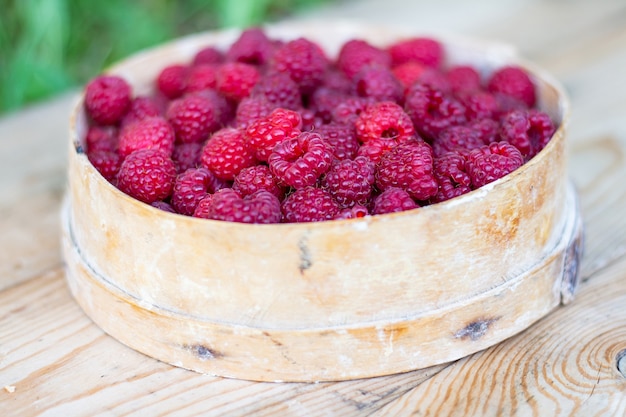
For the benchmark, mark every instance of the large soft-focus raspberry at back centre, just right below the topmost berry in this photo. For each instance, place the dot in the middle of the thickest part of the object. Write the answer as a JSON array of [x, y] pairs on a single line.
[[304, 61]]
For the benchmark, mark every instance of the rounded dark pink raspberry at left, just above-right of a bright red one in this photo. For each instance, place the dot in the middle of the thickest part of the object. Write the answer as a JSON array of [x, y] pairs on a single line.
[[193, 117]]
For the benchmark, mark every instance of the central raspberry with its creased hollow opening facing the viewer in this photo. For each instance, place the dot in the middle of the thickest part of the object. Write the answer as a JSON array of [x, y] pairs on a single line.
[[300, 161]]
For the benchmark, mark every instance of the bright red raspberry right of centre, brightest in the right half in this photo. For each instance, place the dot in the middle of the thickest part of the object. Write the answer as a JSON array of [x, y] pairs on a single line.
[[384, 120]]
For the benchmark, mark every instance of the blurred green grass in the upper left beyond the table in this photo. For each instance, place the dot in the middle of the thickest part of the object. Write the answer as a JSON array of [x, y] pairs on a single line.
[[48, 46]]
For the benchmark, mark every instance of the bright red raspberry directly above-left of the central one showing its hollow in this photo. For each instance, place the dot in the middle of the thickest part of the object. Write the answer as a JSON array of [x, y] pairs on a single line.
[[263, 134]]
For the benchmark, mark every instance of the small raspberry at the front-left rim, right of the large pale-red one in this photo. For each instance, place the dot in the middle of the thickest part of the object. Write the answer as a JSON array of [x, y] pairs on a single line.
[[189, 188]]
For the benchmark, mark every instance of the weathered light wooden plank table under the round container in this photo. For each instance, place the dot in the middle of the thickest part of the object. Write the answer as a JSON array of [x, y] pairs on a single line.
[[55, 361]]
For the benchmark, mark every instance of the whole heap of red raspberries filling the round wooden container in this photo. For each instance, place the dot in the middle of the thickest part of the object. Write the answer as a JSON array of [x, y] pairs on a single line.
[[272, 131]]
